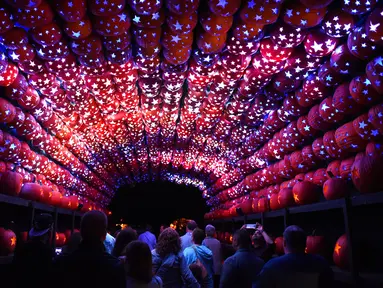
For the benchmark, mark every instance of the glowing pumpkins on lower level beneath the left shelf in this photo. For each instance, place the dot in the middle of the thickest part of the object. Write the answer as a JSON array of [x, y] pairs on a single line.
[[8, 240]]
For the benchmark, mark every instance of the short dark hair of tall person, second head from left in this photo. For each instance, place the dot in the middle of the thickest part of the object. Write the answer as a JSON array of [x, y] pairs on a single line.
[[93, 226]]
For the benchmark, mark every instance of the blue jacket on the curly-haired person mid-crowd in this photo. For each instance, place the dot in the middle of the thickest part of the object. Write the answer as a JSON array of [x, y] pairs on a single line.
[[173, 270]]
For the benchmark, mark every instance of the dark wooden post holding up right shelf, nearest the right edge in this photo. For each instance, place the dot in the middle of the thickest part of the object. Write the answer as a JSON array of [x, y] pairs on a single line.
[[347, 215]]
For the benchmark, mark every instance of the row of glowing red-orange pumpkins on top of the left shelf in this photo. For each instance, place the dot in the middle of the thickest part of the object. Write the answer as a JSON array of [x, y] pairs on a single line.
[[11, 183]]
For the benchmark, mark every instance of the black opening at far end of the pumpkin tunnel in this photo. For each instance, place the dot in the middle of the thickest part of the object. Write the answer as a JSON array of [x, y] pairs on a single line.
[[157, 203]]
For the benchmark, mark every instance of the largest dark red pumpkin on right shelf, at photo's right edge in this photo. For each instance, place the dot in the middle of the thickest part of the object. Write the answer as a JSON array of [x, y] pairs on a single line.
[[367, 173]]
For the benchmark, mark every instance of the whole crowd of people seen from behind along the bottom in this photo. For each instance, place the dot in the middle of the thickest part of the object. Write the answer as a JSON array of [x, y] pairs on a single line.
[[93, 258]]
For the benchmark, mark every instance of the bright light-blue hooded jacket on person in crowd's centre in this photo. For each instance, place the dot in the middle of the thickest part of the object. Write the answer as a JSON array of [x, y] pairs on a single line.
[[204, 255]]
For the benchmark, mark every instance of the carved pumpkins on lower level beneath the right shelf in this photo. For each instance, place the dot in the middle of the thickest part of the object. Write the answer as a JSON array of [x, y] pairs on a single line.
[[314, 245]]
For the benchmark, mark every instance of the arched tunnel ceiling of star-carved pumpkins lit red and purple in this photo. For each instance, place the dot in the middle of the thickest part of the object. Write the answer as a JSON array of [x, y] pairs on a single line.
[[100, 94]]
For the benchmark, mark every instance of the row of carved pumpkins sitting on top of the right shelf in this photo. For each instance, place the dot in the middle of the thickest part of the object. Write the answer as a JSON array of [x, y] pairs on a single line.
[[333, 182]]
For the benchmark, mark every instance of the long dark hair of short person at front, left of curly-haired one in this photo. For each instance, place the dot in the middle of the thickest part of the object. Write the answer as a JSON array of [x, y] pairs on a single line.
[[138, 254]]
